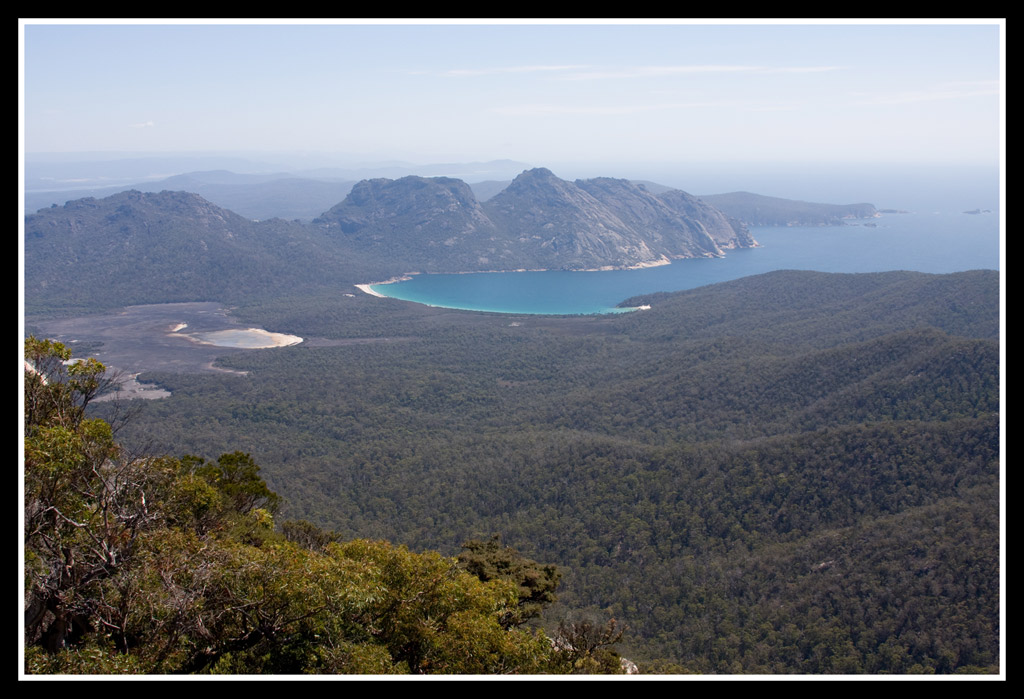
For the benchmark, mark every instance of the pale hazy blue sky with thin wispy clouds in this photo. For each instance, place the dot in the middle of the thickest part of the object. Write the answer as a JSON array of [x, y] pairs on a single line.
[[659, 93]]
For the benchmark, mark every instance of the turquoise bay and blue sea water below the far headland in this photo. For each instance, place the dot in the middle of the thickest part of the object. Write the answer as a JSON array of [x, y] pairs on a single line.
[[937, 243]]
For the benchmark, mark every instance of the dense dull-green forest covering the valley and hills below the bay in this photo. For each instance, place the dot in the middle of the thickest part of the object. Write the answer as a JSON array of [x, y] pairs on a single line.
[[790, 473]]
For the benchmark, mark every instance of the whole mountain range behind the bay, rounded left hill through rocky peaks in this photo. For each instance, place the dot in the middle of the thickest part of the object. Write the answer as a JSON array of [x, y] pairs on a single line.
[[137, 247]]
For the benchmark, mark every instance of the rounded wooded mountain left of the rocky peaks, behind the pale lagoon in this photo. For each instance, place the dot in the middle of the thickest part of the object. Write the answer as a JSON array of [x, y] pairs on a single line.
[[136, 248]]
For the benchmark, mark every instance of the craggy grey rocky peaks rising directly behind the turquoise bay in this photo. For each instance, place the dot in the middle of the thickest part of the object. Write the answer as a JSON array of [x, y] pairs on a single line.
[[540, 222]]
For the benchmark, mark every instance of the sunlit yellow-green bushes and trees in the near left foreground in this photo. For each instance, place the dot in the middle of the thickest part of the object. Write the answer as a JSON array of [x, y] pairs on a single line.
[[162, 565]]
